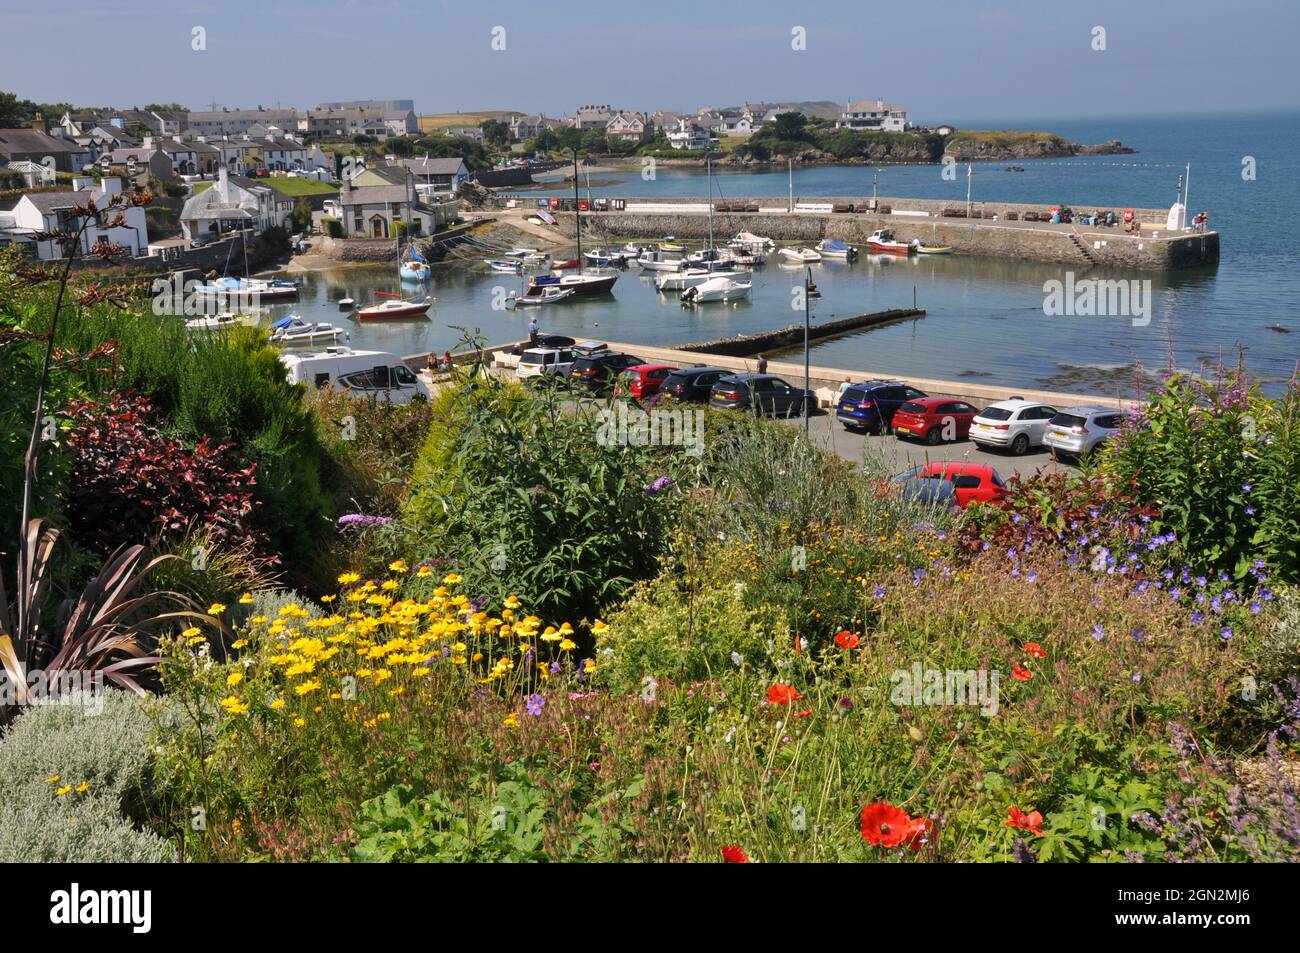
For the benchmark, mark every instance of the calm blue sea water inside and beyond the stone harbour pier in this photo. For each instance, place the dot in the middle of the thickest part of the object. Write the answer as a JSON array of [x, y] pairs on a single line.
[[985, 317]]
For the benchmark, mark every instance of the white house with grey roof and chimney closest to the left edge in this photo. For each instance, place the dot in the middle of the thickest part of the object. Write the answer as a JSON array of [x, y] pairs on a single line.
[[40, 213]]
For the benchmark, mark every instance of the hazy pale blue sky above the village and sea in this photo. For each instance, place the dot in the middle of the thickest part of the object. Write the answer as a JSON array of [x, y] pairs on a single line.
[[942, 60]]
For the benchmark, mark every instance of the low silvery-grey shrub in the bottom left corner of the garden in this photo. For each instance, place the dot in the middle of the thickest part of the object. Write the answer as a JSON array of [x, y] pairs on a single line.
[[109, 752]]
